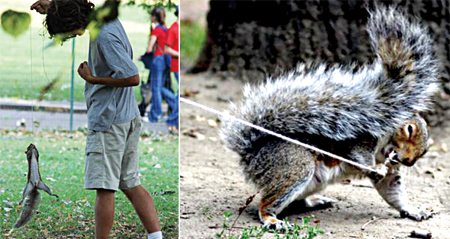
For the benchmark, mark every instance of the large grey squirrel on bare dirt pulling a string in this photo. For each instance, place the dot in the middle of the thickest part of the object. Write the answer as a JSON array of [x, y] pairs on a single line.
[[368, 115]]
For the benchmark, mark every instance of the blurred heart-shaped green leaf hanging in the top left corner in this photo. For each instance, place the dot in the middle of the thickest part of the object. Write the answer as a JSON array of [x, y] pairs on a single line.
[[15, 23]]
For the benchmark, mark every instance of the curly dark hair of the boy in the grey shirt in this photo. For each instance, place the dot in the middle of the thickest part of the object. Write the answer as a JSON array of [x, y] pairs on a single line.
[[67, 16]]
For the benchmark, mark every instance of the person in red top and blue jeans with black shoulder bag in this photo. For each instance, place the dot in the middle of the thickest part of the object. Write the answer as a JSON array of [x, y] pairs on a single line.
[[156, 44]]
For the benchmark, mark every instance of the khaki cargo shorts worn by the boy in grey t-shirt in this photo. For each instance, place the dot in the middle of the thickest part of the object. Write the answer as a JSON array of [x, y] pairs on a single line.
[[112, 157]]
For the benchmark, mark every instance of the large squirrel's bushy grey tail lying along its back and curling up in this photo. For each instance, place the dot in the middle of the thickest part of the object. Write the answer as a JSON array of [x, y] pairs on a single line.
[[344, 104]]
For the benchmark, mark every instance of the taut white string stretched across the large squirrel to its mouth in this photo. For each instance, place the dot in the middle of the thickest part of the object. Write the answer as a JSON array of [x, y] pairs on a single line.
[[276, 134]]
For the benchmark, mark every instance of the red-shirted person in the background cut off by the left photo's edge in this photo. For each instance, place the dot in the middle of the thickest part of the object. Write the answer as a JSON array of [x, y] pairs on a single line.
[[172, 48]]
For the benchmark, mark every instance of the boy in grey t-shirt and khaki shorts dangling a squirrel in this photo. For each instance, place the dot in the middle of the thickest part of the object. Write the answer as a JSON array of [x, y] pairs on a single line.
[[113, 117]]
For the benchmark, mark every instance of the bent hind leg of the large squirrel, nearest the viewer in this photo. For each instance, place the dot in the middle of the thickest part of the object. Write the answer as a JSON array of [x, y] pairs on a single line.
[[285, 173]]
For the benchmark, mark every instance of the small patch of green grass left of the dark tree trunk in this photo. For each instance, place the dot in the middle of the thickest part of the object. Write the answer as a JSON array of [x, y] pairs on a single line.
[[192, 38]]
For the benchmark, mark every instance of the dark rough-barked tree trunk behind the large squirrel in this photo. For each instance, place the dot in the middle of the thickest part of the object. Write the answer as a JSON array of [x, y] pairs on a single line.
[[252, 39]]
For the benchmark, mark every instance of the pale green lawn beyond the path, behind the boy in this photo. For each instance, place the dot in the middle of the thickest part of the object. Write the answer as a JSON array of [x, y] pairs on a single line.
[[26, 67]]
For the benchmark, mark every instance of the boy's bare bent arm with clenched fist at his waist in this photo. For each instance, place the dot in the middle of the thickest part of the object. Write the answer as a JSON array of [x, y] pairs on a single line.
[[86, 74]]
